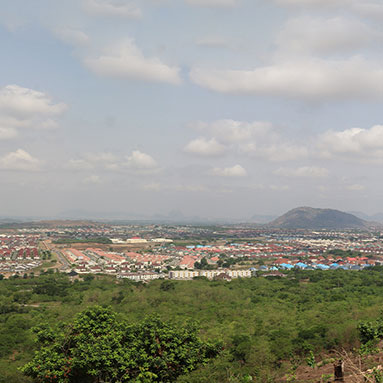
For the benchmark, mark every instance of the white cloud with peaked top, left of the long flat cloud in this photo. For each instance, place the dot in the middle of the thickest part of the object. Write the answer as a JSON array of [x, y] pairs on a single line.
[[125, 60]]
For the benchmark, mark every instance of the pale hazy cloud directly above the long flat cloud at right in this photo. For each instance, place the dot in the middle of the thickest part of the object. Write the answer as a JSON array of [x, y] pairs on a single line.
[[306, 34]]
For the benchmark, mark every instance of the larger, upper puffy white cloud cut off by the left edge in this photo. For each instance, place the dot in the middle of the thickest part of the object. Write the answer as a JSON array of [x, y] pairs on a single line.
[[26, 108]]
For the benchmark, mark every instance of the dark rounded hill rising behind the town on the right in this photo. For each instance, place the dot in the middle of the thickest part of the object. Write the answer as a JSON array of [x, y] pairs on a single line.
[[310, 218]]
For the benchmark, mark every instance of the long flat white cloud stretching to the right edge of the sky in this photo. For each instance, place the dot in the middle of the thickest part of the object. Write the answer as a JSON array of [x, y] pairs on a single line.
[[308, 79]]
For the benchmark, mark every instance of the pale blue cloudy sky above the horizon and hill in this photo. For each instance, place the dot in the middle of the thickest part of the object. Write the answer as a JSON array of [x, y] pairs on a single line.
[[218, 109]]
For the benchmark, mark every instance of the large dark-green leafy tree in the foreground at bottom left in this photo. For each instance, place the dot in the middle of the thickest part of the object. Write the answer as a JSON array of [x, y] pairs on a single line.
[[97, 348]]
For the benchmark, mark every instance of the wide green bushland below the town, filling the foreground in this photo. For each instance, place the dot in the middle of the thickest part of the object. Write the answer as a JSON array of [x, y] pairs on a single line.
[[267, 326]]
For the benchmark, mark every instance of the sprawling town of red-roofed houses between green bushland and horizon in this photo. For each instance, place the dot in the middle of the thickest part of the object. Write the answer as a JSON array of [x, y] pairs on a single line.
[[153, 251]]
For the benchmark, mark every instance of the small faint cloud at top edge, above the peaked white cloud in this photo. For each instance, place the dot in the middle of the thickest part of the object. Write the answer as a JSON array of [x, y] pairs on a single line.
[[124, 9]]
